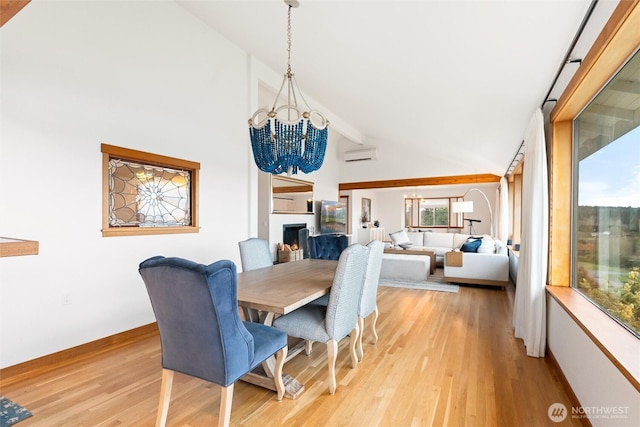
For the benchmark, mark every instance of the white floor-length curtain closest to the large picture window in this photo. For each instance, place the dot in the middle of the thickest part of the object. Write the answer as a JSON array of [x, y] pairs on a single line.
[[529, 312]]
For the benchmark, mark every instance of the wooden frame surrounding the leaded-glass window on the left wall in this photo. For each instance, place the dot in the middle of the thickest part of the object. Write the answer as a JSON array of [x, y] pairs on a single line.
[[112, 152]]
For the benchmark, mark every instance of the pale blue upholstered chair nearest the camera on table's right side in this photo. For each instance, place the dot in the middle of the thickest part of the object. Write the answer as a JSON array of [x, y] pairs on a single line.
[[339, 318]]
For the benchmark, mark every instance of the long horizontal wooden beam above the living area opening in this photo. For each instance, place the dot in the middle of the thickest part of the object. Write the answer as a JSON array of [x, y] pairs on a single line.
[[420, 182]]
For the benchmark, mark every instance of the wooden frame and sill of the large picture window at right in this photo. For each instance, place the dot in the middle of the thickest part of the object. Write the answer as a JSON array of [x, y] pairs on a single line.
[[616, 43]]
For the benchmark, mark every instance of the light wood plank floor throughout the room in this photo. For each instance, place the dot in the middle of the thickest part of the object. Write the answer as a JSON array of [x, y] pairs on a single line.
[[443, 359]]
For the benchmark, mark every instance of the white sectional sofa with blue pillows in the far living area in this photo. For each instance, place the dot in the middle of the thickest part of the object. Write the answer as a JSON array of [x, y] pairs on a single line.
[[488, 266]]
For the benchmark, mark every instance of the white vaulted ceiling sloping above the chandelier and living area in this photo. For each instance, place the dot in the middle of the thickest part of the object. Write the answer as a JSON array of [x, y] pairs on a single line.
[[439, 87]]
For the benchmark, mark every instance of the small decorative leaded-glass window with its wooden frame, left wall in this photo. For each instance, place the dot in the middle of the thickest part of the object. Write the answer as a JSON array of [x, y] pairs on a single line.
[[146, 193]]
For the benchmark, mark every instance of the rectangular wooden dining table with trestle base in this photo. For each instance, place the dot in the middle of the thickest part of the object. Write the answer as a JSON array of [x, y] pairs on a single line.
[[279, 290]]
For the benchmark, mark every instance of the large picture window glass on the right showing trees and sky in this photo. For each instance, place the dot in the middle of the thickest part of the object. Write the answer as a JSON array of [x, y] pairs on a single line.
[[606, 214]]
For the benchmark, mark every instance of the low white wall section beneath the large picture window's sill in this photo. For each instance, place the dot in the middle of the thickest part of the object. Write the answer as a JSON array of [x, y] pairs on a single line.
[[596, 382]]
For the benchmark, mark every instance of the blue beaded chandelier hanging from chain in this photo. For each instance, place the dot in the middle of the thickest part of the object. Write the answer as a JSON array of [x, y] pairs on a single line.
[[288, 138]]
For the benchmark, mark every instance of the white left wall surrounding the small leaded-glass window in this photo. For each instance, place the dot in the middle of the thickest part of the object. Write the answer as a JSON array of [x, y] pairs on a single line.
[[142, 75]]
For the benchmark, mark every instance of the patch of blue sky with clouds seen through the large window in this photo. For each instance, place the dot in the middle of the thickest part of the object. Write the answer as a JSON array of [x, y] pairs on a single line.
[[611, 175]]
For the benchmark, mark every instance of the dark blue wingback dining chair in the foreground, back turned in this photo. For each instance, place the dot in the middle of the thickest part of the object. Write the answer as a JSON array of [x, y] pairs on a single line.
[[201, 333]]
